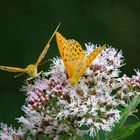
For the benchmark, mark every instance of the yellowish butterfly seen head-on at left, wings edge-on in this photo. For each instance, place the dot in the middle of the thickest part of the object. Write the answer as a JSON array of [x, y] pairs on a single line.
[[31, 69]]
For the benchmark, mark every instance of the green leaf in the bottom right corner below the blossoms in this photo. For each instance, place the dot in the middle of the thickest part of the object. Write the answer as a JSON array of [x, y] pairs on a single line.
[[124, 132]]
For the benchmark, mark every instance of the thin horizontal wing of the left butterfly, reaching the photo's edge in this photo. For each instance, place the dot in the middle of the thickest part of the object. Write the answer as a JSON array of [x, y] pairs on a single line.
[[13, 69]]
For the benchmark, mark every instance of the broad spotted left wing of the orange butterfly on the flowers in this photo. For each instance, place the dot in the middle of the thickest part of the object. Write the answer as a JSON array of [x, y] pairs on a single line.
[[70, 51]]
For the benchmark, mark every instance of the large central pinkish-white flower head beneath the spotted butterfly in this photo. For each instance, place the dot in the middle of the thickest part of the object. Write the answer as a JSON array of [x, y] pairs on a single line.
[[88, 103]]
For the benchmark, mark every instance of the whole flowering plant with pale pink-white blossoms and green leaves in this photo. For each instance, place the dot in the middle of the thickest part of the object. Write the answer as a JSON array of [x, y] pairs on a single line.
[[96, 107]]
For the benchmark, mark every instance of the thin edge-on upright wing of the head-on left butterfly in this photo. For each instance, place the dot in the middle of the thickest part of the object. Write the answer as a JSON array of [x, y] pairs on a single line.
[[42, 55]]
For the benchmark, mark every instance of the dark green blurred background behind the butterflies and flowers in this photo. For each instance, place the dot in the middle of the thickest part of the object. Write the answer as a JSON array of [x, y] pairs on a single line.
[[26, 26]]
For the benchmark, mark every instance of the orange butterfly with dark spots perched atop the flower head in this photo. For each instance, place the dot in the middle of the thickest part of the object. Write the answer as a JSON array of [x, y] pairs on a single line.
[[74, 58]]
